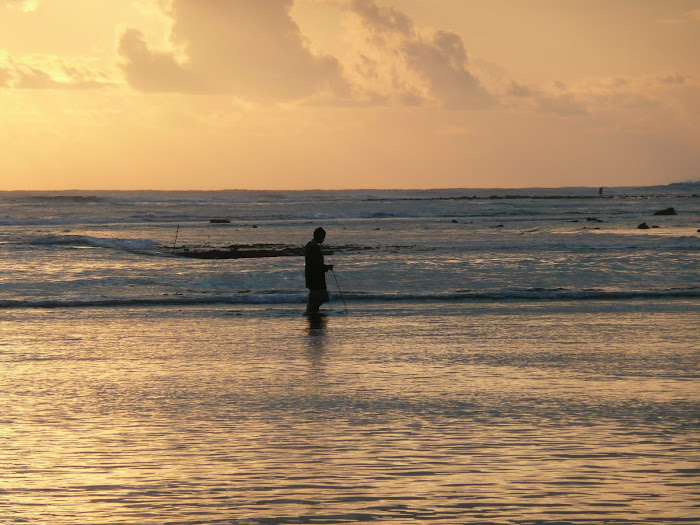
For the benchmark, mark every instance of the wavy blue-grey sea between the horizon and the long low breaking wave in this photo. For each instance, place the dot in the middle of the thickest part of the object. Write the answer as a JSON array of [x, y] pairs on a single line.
[[116, 247]]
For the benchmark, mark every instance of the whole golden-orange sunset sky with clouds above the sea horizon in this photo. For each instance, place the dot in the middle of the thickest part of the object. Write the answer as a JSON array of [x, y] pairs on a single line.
[[340, 94]]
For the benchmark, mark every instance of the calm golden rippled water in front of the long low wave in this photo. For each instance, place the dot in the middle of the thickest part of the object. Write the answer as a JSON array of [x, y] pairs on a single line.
[[488, 413]]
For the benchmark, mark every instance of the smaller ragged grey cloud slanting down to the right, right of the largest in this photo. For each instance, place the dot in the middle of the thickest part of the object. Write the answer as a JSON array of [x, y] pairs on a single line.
[[416, 67]]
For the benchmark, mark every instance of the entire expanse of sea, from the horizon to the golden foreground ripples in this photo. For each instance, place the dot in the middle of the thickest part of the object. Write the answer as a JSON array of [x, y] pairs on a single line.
[[529, 359]]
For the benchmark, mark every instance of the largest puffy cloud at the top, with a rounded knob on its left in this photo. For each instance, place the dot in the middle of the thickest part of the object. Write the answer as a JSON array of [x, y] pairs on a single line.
[[249, 48]]
